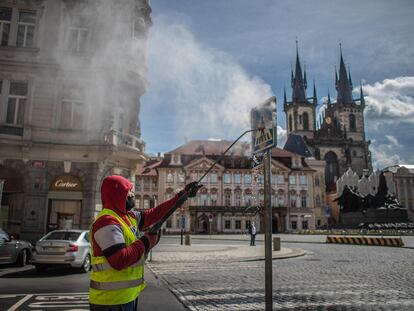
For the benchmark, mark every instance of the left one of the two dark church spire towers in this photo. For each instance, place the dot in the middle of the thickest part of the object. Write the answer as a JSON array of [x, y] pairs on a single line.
[[300, 111]]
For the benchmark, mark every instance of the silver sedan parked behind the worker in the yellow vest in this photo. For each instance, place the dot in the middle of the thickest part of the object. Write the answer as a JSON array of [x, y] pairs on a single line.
[[63, 248]]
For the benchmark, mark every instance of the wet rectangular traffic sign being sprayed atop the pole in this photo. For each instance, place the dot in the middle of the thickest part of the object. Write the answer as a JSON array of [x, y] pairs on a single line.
[[264, 121]]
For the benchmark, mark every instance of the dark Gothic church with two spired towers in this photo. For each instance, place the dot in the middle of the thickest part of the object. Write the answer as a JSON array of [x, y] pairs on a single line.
[[339, 136]]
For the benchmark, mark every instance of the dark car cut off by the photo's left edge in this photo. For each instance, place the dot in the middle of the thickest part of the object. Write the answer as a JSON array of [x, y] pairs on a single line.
[[14, 251]]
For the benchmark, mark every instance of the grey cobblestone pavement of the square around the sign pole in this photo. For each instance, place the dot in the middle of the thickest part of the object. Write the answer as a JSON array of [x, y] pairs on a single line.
[[330, 277]]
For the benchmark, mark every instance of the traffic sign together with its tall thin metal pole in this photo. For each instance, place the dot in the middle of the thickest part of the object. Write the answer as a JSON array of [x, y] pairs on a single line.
[[263, 120]]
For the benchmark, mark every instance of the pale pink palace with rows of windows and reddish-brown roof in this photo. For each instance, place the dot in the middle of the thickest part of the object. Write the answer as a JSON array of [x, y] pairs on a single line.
[[232, 196]]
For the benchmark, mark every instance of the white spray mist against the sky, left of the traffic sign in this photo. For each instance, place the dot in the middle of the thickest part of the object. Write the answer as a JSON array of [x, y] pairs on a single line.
[[209, 93]]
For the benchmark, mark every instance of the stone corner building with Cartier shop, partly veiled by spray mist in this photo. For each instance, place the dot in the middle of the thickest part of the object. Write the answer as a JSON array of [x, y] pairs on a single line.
[[71, 77]]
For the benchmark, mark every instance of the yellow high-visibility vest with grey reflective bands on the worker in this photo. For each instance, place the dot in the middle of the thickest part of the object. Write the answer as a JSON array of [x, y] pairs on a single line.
[[114, 287]]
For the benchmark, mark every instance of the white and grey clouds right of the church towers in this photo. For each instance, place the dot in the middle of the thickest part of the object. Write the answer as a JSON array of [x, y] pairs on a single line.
[[389, 119]]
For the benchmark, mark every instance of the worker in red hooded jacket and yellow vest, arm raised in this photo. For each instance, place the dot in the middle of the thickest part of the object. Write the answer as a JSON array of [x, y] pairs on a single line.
[[120, 244]]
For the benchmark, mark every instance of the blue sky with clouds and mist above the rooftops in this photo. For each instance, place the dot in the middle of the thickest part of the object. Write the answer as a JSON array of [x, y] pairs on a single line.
[[209, 62]]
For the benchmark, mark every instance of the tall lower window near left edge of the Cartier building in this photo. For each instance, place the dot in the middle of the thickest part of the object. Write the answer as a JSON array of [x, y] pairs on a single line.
[[16, 102]]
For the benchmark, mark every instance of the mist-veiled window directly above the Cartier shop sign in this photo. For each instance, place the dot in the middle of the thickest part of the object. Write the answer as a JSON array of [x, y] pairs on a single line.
[[72, 116]]
